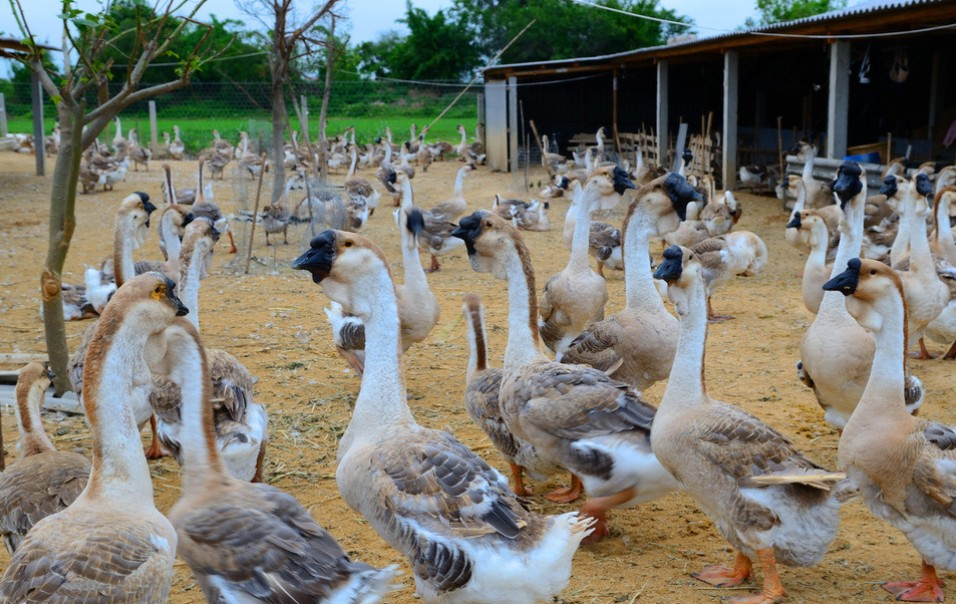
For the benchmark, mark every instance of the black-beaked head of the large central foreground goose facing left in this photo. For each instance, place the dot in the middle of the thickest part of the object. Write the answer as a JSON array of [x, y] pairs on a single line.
[[346, 266]]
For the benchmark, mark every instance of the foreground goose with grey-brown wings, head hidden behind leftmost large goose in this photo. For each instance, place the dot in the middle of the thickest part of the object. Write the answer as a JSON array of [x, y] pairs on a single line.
[[274, 550]]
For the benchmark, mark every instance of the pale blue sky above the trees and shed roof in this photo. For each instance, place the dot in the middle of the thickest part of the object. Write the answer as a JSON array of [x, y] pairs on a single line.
[[367, 18]]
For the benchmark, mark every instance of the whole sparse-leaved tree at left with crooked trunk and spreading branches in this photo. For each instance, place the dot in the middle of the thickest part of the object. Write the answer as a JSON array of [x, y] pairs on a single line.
[[87, 40]]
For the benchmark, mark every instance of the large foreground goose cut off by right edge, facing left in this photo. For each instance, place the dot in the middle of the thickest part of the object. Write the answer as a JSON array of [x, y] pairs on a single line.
[[902, 465]]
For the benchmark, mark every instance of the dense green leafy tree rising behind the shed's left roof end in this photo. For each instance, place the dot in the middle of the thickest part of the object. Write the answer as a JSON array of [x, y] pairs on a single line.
[[564, 29]]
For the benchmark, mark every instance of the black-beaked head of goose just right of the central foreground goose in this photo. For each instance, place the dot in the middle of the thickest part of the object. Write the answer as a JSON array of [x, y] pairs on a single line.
[[490, 241]]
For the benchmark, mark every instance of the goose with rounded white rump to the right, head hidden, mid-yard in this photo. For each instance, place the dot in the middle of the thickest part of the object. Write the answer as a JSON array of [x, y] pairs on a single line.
[[741, 253]]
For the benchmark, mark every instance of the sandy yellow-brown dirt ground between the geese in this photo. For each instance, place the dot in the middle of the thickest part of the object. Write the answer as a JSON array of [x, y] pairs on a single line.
[[272, 320]]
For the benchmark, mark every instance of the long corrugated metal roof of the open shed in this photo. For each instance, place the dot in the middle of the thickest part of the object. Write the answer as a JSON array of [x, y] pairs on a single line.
[[770, 33]]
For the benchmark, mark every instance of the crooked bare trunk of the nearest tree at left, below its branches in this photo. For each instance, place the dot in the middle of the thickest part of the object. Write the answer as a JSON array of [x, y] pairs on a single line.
[[62, 223]]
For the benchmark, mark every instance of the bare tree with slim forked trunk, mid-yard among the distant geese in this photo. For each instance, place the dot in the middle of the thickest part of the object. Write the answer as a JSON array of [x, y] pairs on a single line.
[[292, 39]]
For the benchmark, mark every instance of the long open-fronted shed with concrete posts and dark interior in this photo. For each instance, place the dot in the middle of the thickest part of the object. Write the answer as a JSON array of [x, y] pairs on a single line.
[[872, 81]]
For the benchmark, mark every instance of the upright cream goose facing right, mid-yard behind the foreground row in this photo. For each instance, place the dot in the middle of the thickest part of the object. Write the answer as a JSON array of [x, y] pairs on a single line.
[[575, 298]]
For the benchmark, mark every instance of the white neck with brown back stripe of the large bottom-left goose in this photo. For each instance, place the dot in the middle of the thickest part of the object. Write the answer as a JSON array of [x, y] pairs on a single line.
[[116, 376]]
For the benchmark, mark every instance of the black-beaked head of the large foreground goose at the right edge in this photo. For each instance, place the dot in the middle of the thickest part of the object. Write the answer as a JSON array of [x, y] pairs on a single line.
[[871, 288]]
